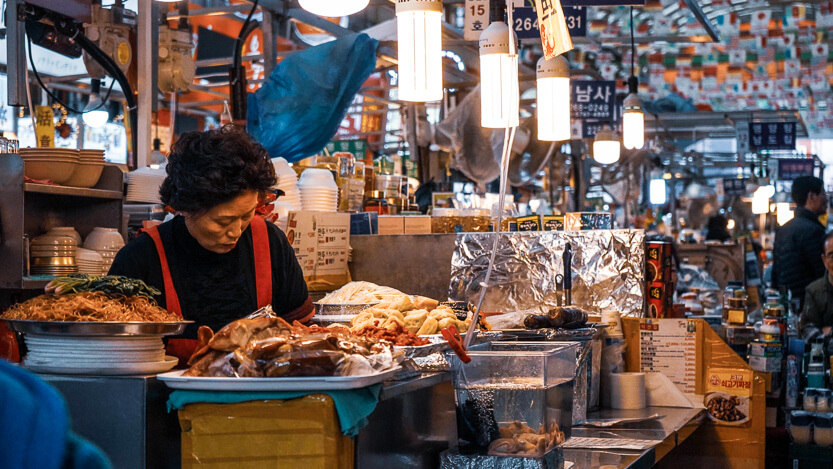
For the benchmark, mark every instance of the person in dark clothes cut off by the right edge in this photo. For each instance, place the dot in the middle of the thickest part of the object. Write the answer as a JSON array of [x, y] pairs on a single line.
[[817, 316]]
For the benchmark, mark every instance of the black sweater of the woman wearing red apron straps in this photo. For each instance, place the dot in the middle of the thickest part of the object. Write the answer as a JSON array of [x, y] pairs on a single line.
[[216, 289]]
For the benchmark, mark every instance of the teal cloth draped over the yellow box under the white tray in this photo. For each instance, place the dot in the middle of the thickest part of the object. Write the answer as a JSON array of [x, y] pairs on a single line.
[[352, 405]]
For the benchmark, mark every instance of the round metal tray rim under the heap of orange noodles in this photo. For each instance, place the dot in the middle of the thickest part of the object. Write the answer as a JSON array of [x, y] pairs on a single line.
[[79, 328]]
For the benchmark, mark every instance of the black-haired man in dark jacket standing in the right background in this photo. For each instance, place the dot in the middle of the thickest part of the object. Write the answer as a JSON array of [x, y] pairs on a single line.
[[798, 244]]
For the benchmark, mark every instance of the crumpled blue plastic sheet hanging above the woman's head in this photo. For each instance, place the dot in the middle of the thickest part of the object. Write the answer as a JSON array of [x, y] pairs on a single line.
[[301, 105]]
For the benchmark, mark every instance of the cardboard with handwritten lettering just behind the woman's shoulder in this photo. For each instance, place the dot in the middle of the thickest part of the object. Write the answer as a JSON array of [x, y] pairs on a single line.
[[321, 241]]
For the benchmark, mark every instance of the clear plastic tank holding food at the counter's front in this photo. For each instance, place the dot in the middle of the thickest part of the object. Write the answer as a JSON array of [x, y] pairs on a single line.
[[513, 388]]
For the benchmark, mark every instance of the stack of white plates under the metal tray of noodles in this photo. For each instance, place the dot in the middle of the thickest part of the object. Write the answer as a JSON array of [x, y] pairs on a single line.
[[96, 355]]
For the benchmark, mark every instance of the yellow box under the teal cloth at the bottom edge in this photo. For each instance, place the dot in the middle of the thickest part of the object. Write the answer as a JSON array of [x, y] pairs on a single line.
[[303, 432]]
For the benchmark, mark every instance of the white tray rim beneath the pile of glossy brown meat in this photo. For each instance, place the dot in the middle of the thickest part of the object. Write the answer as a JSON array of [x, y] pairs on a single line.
[[175, 380]]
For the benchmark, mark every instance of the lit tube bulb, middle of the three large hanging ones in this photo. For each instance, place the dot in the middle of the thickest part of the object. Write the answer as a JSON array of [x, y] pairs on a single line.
[[499, 96]]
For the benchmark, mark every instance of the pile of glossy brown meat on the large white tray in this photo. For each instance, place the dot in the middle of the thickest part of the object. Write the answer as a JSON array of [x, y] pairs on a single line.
[[271, 347]]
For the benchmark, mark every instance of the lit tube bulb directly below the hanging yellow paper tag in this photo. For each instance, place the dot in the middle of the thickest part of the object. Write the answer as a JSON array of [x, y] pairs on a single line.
[[553, 99]]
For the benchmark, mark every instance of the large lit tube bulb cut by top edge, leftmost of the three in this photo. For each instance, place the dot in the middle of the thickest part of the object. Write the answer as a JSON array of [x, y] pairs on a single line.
[[419, 37]]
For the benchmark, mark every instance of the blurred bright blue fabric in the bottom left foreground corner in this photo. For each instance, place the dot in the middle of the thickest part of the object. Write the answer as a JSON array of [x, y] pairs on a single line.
[[34, 426]]
